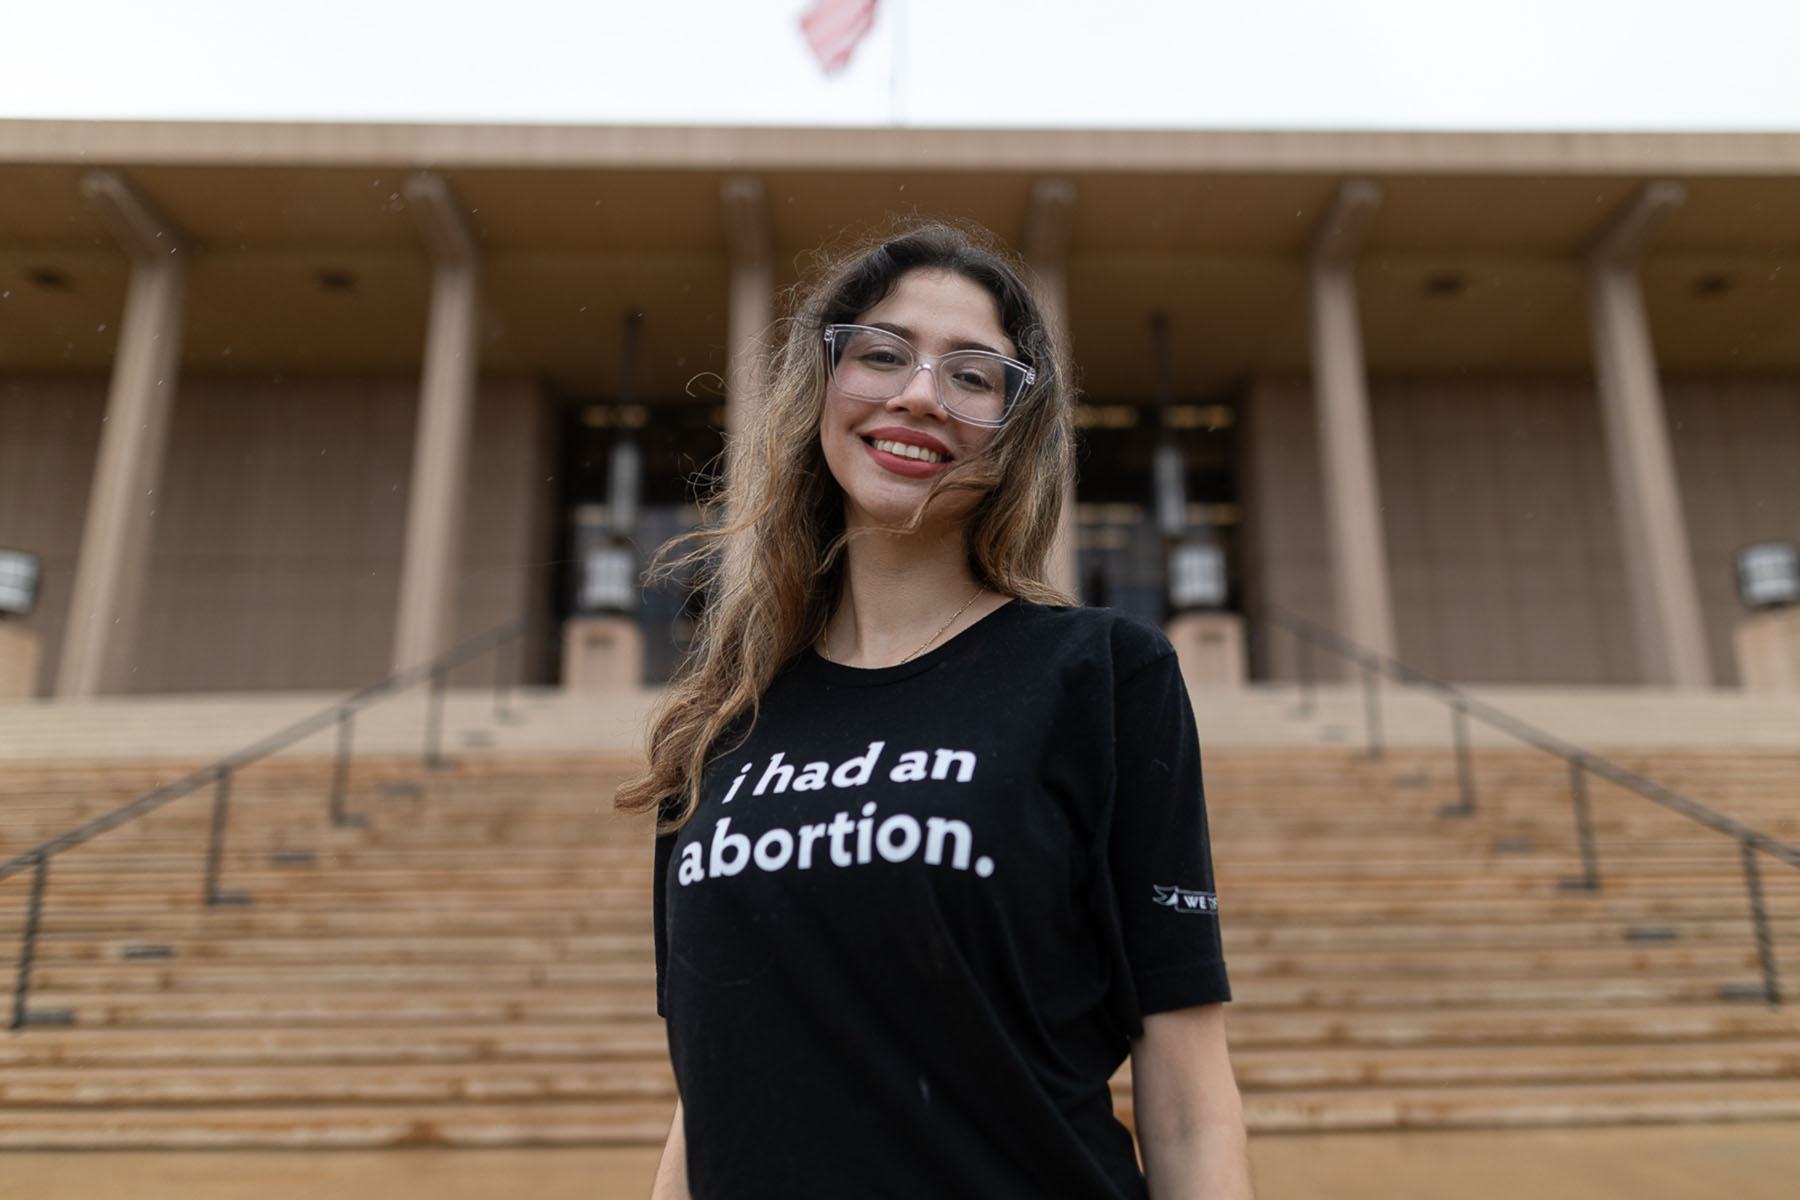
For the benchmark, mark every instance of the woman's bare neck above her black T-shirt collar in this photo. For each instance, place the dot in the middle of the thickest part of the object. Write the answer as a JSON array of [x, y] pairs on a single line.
[[899, 589]]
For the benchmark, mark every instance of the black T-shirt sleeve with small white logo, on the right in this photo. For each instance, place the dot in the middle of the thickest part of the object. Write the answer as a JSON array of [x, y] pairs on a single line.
[[1158, 846]]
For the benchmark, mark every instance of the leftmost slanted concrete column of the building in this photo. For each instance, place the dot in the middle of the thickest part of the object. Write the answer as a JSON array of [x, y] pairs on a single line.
[[109, 587]]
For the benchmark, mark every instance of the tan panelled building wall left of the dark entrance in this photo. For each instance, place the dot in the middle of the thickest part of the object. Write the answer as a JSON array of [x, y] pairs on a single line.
[[278, 537]]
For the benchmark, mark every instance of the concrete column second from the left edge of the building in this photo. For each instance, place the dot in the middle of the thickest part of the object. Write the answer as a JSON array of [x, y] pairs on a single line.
[[440, 449]]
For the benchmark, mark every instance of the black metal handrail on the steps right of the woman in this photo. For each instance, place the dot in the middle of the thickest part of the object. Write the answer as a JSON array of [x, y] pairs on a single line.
[[1581, 764]]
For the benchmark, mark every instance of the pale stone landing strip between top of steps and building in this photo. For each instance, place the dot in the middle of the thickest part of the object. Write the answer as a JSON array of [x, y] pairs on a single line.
[[199, 730]]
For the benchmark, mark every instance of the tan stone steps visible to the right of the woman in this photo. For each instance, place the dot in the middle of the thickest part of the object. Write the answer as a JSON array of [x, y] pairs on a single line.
[[1401, 969]]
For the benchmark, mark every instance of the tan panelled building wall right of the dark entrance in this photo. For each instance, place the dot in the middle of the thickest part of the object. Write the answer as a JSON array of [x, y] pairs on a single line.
[[1498, 512]]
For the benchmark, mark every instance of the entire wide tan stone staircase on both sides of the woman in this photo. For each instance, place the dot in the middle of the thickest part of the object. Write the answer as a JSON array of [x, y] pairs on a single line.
[[474, 967]]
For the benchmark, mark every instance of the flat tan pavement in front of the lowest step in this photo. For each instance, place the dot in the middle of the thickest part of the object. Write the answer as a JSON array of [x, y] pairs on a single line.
[[1659, 1163]]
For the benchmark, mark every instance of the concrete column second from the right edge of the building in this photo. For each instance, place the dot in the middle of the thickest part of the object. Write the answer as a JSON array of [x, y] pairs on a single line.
[[1347, 447]]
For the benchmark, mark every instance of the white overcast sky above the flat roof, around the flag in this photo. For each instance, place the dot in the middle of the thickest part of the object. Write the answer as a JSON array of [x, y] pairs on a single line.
[[1158, 64]]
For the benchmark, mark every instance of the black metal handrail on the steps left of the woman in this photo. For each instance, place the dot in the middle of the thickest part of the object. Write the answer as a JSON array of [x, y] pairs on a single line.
[[220, 775]]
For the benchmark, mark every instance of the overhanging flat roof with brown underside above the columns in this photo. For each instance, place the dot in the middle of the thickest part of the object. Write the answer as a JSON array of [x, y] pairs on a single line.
[[1473, 262]]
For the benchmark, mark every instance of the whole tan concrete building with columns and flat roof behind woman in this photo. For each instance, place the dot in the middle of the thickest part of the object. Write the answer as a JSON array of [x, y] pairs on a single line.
[[283, 406]]
